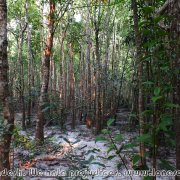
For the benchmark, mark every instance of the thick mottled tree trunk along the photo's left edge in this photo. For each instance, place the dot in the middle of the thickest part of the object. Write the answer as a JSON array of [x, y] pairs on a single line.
[[6, 108]]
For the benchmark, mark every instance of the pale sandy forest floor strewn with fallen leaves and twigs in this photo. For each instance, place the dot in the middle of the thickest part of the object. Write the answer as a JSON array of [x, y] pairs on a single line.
[[75, 151]]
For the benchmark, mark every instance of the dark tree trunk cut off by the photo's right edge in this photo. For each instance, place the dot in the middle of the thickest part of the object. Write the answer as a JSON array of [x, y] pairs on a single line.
[[175, 46]]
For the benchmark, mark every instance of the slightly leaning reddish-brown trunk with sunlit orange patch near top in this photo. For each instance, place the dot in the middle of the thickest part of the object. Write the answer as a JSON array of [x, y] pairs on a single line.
[[45, 74]]
